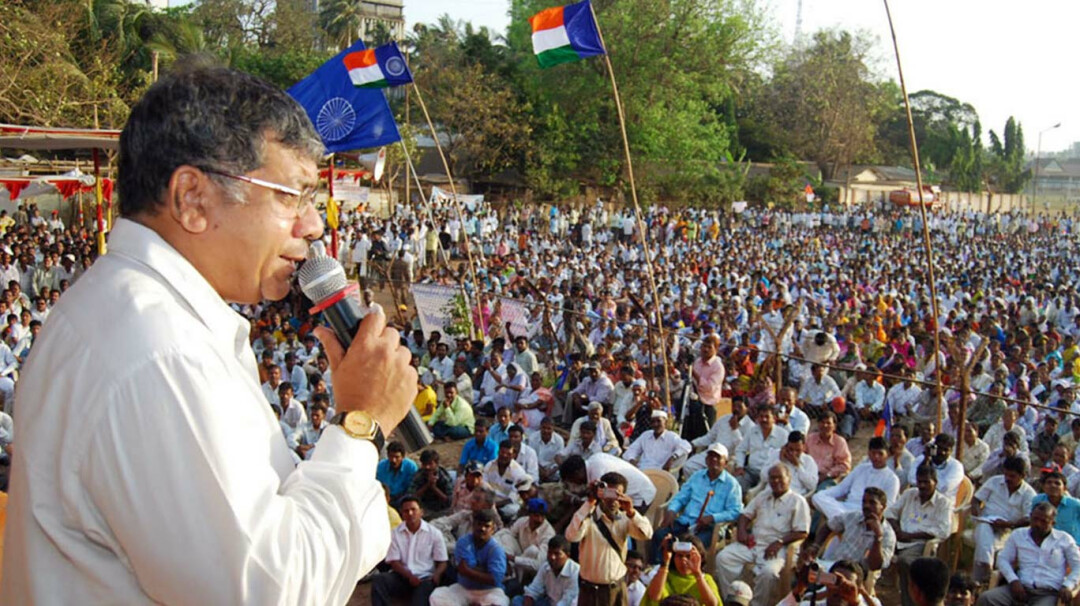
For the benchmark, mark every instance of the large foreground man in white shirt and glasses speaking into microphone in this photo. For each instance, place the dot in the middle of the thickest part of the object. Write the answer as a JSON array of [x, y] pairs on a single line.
[[151, 468]]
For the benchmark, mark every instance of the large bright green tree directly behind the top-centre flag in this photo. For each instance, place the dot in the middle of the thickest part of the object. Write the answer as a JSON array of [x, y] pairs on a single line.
[[678, 63]]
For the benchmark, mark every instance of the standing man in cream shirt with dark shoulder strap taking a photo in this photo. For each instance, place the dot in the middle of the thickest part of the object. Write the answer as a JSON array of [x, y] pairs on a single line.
[[602, 526]]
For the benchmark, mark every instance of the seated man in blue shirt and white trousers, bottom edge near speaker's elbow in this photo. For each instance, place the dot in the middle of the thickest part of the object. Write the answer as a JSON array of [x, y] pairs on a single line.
[[481, 565]]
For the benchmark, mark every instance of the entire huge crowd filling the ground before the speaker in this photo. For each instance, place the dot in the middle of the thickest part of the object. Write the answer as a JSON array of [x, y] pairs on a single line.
[[610, 461]]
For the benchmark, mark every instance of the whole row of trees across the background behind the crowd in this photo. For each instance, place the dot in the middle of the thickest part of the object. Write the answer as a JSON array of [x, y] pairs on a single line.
[[705, 85]]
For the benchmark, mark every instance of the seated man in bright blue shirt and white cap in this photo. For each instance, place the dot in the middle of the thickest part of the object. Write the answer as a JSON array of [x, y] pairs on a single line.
[[685, 511]]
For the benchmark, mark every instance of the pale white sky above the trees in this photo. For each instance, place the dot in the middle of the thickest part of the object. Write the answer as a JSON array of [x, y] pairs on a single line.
[[1006, 59]]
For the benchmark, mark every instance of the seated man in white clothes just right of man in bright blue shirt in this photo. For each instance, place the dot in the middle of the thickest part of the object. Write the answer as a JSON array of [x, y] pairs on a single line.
[[779, 519]]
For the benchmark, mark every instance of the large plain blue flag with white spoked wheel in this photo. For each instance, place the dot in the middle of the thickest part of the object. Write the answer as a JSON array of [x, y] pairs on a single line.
[[347, 118]]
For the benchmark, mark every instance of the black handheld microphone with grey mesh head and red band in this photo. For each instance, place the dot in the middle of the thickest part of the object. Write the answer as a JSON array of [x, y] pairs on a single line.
[[323, 281]]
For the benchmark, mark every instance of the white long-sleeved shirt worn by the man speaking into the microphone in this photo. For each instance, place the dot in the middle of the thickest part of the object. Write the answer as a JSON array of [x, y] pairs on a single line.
[[172, 426]]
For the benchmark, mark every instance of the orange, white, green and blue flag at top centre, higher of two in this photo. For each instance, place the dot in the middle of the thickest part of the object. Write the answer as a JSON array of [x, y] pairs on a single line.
[[565, 34]]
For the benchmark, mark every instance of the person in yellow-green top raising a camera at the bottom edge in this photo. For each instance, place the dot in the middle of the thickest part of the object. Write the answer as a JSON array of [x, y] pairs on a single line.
[[687, 551]]
